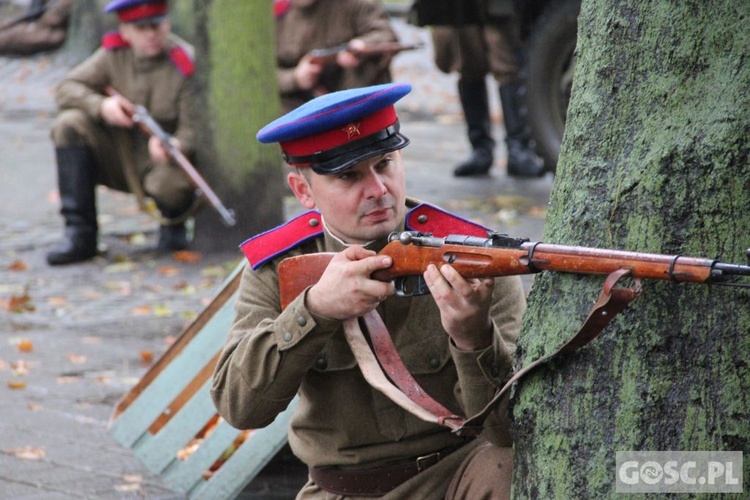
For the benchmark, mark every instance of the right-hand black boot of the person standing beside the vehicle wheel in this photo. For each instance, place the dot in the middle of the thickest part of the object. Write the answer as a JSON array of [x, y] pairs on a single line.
[[522, 159]]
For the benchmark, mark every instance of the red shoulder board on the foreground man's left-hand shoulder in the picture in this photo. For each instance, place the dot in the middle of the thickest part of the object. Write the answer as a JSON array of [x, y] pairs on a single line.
[[265, 246]]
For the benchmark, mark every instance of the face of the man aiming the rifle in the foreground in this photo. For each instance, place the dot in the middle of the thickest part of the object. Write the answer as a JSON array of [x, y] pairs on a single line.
[[361, 204]]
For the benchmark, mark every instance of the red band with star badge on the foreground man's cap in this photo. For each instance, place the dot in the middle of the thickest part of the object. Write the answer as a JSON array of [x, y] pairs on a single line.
[[342, 134]]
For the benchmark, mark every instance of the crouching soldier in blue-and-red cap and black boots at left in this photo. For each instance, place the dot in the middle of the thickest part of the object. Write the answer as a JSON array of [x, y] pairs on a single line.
[[96, 141]]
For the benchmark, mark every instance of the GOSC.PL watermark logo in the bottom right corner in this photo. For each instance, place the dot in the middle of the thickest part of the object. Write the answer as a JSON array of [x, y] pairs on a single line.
[[679, 472]]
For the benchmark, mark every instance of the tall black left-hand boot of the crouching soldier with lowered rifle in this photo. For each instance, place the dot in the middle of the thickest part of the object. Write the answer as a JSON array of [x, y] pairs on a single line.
[[75, 178]]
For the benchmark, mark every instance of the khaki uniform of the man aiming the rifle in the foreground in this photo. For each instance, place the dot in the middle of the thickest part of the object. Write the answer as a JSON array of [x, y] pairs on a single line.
[[340, 420]]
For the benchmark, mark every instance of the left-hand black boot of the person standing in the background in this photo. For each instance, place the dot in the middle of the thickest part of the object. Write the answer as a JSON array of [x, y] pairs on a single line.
[[475, 104]]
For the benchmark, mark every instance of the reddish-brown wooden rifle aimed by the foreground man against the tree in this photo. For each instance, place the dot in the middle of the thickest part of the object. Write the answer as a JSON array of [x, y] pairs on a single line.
[[500, 255]]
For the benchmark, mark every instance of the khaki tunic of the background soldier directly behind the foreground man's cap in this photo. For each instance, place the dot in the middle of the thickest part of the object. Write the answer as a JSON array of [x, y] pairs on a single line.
[[328, 23]]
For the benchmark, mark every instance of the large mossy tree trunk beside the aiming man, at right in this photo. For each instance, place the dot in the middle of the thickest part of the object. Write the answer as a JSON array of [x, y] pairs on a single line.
[[654, 159]]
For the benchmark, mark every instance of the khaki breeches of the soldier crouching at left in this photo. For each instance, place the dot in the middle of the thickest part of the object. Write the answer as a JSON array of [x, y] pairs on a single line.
[[116, 149]]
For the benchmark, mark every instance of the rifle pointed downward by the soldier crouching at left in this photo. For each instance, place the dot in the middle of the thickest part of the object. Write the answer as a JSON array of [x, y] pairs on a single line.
[[150, 127]]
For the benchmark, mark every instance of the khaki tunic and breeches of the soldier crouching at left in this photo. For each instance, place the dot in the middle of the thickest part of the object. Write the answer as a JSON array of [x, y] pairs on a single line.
[[157, 83]]
